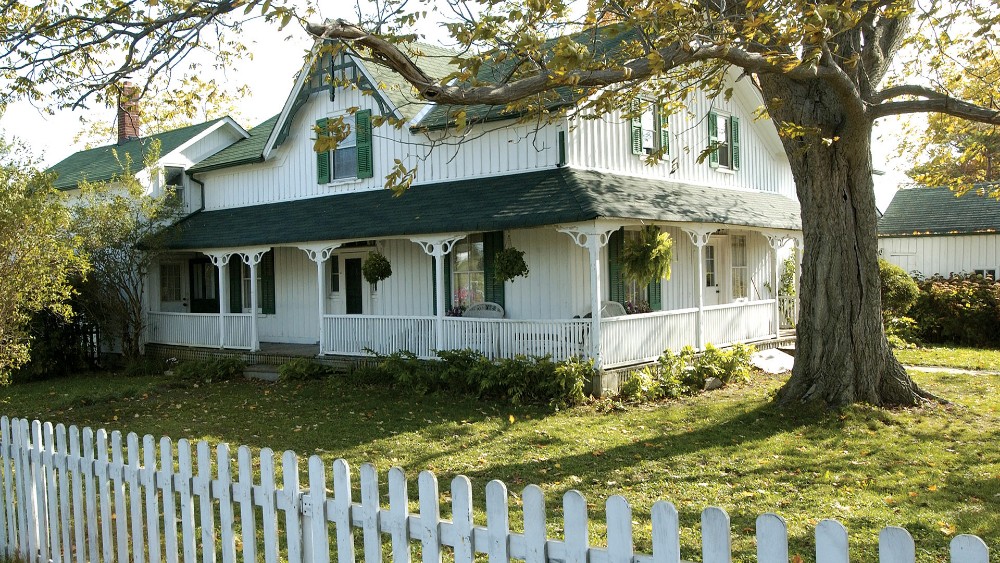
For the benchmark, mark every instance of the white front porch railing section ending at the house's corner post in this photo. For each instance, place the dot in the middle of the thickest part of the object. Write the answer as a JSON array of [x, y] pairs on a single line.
[[506, 338]]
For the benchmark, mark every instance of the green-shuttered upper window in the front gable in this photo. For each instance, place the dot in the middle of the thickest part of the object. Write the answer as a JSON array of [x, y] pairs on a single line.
[[353, 156]]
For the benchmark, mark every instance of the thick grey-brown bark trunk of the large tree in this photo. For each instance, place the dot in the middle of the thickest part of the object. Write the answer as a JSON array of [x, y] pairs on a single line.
[[841, 352]]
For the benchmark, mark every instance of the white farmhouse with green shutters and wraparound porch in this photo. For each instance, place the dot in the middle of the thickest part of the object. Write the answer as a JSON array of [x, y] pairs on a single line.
[[274, 246]]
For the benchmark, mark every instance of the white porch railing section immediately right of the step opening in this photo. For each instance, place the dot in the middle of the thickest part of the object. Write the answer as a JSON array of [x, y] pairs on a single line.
[[352, 334]]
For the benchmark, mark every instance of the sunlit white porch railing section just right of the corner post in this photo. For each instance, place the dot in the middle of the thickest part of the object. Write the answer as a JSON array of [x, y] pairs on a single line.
[[633, 339]]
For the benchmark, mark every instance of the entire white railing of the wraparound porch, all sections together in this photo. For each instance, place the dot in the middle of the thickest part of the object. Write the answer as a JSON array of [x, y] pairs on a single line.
[[624, 341]]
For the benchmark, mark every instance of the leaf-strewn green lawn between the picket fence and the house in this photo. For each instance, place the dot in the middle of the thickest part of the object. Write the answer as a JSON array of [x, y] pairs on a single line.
[[934, 471]]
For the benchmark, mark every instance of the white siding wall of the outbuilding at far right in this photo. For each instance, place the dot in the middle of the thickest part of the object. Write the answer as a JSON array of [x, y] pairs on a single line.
[[930, 255]]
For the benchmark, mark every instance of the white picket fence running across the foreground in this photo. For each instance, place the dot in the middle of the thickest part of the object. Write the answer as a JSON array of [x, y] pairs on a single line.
[[65, 498]]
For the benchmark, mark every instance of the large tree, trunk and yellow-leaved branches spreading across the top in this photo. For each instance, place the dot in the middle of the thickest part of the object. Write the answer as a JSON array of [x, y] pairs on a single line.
[[826, 71]]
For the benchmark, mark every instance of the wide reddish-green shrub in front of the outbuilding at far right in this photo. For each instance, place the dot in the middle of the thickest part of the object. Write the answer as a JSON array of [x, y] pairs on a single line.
[[962, 309]]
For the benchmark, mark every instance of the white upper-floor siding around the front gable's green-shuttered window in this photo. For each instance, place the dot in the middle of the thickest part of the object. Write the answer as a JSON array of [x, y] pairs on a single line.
[[488, 150]]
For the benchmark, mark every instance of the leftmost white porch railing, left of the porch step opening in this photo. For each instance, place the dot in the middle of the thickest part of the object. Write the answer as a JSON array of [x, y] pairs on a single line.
[[199, 329]]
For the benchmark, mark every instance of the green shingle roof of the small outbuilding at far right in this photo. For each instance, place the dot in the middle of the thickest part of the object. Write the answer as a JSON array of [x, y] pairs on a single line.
[[937, 211]]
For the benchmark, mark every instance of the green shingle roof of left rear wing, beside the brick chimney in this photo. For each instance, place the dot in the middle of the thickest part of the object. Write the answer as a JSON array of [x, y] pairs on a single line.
[[103, 163]]
